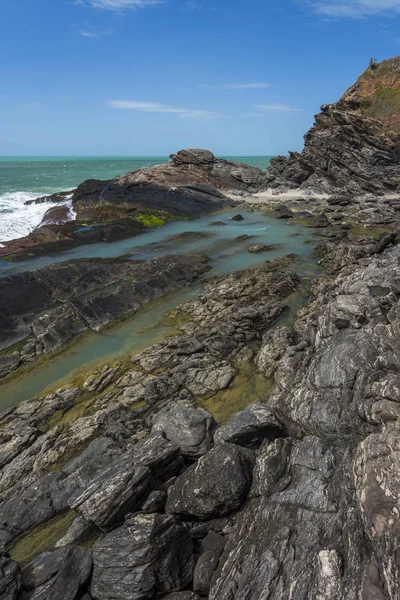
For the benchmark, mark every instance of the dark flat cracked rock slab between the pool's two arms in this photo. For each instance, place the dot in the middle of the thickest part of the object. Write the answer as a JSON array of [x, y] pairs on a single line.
[[46, 309]]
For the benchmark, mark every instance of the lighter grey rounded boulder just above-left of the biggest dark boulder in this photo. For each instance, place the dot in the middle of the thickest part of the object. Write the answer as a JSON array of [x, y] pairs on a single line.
[[190, 428]]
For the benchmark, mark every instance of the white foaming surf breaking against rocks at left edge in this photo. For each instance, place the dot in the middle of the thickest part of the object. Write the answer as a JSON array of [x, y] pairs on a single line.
[[17, 219]]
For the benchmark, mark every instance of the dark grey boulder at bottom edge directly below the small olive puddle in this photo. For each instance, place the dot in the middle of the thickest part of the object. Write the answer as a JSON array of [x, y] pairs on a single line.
[[59, 574]]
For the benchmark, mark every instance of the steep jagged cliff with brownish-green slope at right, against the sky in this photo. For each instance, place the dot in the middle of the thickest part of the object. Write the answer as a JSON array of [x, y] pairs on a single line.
[[354, 145]]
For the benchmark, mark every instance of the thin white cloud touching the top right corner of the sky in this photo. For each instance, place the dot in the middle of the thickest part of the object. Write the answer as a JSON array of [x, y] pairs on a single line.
[[353, 9]]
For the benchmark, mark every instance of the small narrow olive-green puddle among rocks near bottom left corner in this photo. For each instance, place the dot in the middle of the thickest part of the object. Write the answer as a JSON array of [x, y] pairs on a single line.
[[42, 537]]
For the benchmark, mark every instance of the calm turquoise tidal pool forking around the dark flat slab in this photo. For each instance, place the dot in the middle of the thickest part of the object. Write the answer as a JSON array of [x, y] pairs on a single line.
[[220, 243]]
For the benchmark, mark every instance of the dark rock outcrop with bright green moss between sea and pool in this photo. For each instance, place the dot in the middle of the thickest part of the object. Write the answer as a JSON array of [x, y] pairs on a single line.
[[193, 183]]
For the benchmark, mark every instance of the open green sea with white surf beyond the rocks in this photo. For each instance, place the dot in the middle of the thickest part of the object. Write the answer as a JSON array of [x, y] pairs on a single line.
[[28, 177]]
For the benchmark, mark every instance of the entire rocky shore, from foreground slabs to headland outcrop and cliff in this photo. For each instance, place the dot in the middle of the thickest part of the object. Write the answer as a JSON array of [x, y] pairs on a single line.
[[251, 455]]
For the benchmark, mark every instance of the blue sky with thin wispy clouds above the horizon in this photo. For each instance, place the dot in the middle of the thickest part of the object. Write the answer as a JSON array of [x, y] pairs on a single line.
[[147, 77]]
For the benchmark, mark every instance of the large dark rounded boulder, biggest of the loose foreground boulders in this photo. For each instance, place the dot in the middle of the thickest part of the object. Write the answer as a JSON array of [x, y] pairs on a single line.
[[216, 485]]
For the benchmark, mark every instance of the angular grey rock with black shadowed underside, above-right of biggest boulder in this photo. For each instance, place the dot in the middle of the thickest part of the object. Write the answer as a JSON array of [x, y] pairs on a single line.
[[250, 427]]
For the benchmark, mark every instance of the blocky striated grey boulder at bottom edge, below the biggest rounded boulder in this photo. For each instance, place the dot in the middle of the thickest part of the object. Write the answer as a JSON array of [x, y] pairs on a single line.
[[149, 556]]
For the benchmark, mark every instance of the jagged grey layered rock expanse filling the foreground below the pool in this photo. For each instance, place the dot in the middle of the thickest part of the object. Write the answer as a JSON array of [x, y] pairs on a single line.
[[294, 496]]
